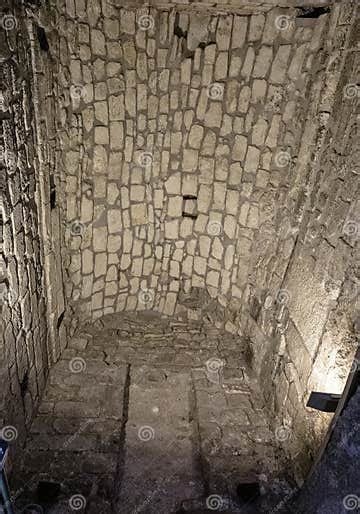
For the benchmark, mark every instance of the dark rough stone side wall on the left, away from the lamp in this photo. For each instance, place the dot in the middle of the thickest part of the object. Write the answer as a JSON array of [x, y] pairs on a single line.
[[32, 300]]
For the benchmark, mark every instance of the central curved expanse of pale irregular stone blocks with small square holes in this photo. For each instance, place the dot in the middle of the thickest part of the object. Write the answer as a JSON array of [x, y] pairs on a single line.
[[182, 134]]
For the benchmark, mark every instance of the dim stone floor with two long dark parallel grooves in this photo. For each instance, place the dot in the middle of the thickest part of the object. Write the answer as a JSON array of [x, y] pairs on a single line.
[[148, 414]]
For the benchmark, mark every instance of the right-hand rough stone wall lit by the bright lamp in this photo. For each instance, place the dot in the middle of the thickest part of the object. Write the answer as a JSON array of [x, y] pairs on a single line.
[[305, 326]]
